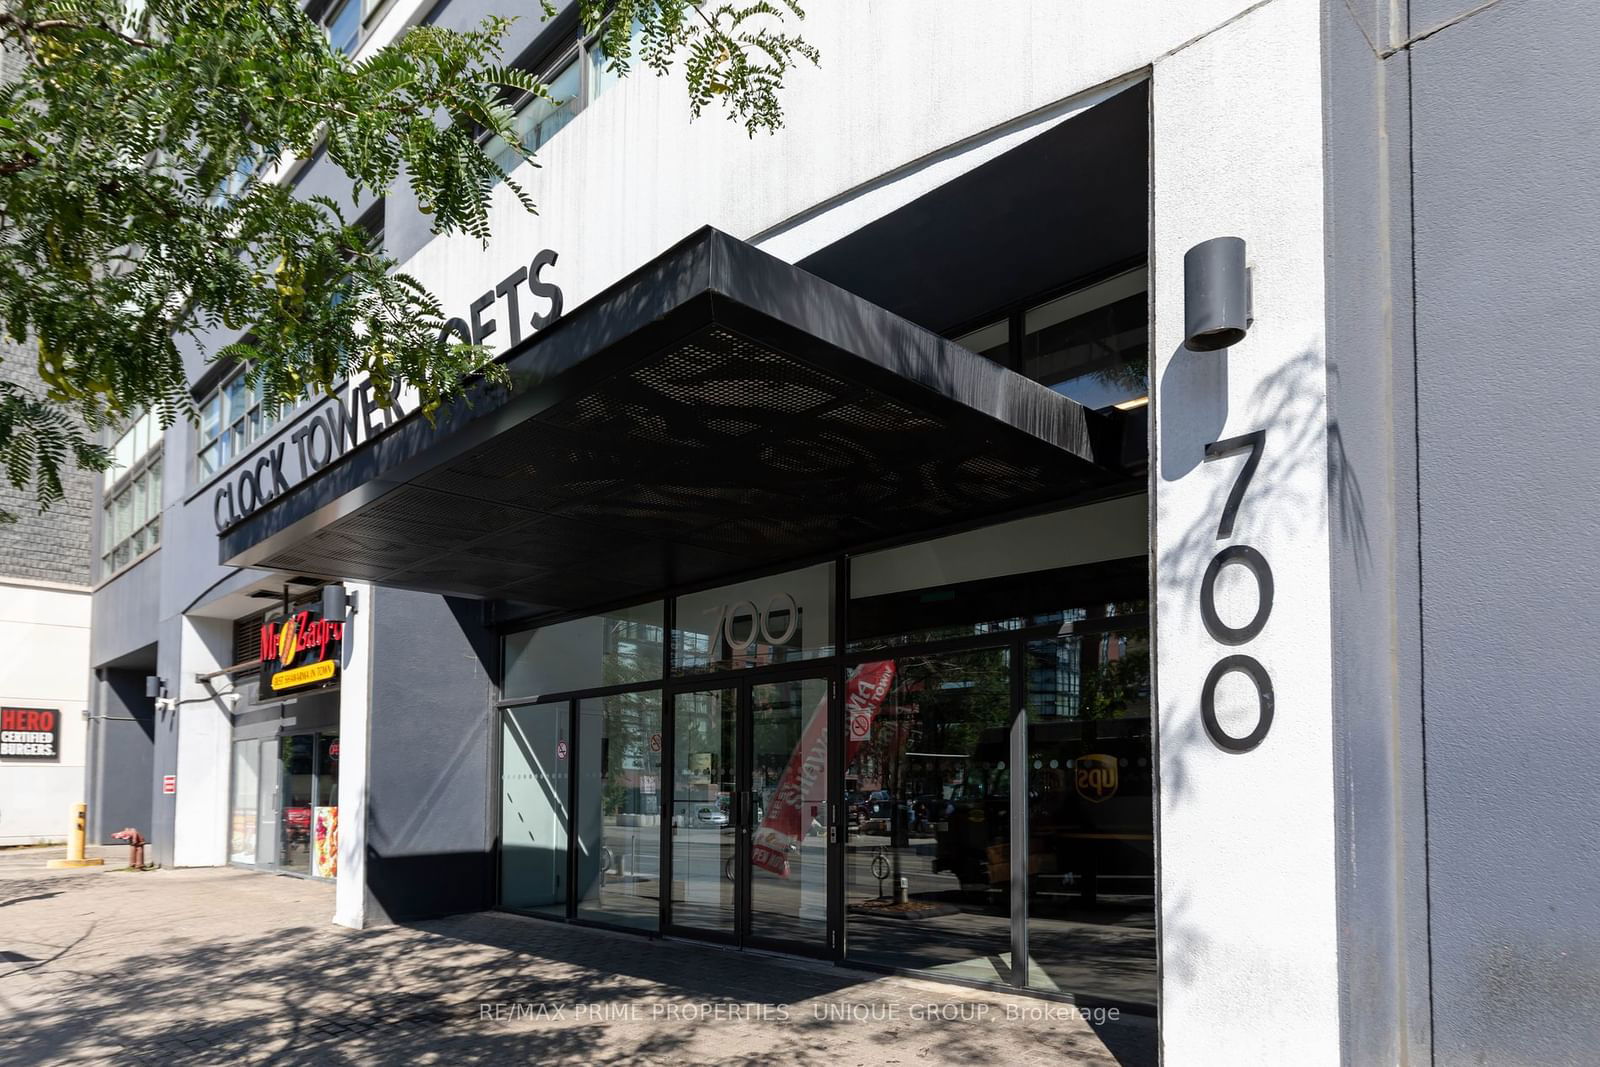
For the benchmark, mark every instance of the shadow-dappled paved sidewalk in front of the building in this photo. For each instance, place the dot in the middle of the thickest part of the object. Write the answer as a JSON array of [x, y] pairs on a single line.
[[223, 965]]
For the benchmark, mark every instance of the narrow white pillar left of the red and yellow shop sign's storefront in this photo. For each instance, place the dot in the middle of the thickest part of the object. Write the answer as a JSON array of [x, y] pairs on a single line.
[[206, 733]]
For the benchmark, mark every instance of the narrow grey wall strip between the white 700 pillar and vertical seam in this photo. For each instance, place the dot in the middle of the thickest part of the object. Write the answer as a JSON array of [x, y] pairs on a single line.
[[1372, 463]]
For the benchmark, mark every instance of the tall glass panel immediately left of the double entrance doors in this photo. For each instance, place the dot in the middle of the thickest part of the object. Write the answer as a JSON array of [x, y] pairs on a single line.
[[620, 809]]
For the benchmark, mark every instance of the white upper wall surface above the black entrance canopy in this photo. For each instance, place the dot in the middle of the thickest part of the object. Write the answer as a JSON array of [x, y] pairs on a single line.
[[906, 98]]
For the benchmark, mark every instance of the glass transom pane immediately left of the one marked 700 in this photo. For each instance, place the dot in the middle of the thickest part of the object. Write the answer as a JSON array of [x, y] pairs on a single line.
[[602, 650]]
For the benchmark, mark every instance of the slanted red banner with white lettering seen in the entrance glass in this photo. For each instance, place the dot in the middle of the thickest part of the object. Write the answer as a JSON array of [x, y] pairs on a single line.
[[785, 825]]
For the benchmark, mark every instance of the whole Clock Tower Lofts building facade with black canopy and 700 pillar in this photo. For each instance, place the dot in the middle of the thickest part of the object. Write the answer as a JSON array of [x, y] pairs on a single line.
[[871, 561]]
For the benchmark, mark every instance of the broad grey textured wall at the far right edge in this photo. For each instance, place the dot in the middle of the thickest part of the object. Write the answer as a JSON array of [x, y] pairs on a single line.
[[1508, 222]]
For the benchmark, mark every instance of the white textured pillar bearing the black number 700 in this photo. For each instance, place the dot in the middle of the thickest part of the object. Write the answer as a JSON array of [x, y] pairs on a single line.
[[1247, 865]]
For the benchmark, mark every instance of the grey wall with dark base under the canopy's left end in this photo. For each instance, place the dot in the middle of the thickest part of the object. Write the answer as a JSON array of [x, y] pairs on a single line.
[[430, 836]]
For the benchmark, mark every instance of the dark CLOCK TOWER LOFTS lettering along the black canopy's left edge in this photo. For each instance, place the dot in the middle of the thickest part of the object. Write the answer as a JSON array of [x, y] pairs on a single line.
[[358, 417]]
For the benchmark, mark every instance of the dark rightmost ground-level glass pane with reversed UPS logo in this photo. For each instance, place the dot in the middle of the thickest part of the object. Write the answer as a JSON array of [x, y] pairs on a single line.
[[1092, 876]]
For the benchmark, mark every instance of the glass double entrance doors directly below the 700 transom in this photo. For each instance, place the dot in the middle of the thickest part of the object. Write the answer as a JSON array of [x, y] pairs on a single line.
[[750, 813]]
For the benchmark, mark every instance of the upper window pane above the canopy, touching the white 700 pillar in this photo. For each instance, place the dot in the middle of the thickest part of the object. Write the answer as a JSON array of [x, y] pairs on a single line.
[[1092, 345]]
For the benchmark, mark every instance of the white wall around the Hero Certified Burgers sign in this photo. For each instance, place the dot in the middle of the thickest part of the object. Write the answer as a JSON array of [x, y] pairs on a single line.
[[44, 663]]
